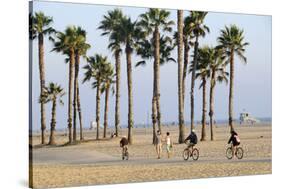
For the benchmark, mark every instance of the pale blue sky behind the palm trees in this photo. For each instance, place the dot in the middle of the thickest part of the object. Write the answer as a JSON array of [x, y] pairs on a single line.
[[252, 81]]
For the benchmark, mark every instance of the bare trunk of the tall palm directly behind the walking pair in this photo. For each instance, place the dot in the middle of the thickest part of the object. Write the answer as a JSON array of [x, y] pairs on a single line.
[[157, 74]]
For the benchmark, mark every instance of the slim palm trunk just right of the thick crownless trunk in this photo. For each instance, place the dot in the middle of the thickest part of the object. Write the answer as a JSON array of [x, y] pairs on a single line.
[[185, 66]]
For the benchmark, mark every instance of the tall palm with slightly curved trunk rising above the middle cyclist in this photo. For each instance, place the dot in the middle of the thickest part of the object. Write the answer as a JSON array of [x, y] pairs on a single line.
[[199, 29]]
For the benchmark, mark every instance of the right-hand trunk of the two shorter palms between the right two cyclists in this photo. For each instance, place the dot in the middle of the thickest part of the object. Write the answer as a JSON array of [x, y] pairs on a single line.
[[211, 112]]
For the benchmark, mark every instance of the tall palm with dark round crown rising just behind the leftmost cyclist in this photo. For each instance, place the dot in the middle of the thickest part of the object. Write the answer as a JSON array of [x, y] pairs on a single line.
[[129, 35]]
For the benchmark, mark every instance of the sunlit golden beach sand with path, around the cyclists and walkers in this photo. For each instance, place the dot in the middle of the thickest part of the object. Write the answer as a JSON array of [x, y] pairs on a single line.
[[99, 162]]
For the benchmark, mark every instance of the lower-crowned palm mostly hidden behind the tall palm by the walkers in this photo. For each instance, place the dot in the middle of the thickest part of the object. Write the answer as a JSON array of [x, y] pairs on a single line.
[[146, 51]]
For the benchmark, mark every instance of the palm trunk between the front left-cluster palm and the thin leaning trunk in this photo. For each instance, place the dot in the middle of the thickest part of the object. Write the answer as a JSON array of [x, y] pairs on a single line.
[[75, 96]]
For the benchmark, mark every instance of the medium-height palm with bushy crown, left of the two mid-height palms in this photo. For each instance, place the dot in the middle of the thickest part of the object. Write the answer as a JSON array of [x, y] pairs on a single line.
[[95, 69]]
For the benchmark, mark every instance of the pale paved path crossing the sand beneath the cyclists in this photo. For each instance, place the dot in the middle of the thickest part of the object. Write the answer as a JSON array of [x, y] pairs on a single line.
[[80, 157]]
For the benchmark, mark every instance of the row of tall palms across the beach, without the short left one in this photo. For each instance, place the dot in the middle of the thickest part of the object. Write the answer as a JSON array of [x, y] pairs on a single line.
[[149, 38]]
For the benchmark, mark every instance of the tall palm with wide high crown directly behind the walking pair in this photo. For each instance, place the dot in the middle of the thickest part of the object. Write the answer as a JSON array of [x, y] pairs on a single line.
[[152, 23]]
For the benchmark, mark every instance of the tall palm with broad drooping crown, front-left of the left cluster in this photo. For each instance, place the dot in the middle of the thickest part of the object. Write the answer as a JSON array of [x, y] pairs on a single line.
[[66, 43]]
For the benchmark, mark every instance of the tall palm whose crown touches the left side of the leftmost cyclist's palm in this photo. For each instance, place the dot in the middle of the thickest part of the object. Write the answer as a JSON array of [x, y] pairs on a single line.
[[109, 25]]
